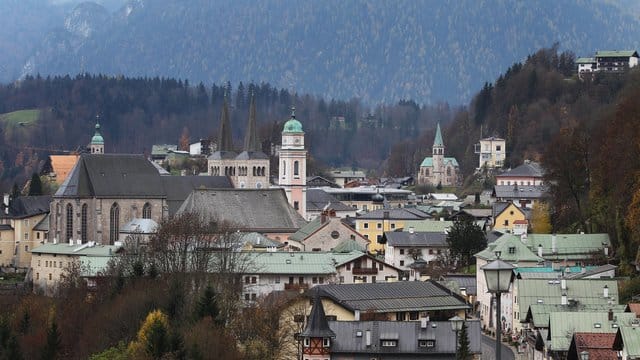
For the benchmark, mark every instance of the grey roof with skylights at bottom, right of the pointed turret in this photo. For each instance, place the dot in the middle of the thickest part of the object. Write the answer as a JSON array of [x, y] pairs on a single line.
[[350, 338]]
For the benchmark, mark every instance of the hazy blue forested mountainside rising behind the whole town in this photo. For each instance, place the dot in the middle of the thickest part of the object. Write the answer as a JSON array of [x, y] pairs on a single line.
[[428, 51]]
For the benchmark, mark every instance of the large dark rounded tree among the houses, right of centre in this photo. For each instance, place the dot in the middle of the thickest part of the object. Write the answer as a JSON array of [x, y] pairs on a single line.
[[465, 238]]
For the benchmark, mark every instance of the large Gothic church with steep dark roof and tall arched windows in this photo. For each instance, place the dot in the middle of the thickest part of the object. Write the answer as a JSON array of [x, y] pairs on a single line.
[[105, 191]]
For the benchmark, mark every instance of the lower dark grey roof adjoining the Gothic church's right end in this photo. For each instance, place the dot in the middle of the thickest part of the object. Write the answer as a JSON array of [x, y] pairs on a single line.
[[178, 188]]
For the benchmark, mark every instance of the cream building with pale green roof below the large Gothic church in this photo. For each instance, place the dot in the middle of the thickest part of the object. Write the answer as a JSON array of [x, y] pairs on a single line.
[[50, 261]]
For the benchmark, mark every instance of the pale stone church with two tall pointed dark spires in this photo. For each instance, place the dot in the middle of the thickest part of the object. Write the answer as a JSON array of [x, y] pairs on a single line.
[[250, 169]]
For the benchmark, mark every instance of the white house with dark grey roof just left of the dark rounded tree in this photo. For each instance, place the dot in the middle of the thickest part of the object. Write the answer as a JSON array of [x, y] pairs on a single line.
[[403, 248]]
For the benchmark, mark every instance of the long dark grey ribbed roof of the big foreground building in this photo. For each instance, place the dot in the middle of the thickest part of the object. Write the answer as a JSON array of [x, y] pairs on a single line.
[[394, 296]]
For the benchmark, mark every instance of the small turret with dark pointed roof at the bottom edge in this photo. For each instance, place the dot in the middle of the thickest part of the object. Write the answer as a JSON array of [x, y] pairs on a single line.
[[316, 337]]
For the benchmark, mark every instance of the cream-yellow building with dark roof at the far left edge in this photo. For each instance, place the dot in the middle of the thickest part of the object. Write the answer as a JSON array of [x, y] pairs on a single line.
[[19, 219]]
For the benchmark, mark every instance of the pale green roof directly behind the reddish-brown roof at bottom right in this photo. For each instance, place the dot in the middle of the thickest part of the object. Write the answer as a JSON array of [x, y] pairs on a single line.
[[563, 323]]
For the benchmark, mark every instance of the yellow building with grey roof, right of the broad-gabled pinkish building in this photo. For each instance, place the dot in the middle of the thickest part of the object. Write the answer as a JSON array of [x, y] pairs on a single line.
[[373, 224]]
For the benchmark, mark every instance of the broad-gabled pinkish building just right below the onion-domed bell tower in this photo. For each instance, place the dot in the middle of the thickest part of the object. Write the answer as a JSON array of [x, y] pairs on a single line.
[[325, 233]]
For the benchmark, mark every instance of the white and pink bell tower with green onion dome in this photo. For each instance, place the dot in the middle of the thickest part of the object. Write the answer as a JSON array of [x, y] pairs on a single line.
[[292, 174]]
